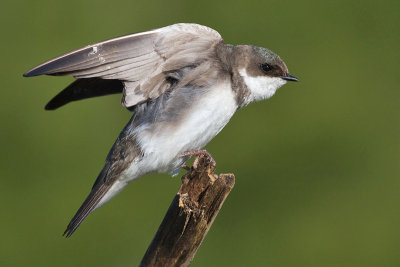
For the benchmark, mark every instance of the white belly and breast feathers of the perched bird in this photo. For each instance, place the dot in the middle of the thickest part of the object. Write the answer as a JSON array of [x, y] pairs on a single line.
[[165, 143]]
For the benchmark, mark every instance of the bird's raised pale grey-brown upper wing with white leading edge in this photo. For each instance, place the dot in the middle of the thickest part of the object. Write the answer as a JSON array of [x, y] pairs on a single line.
[[142, 61]]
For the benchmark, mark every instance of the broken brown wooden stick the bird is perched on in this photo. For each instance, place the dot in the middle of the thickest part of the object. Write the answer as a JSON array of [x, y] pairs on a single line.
[[189, 217]]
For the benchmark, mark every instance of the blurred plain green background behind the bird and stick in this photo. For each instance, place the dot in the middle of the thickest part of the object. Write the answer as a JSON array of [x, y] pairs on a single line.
[[317, 166]]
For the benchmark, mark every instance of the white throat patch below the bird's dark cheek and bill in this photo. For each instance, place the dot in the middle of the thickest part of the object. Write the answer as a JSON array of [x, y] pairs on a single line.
[[261, 87]]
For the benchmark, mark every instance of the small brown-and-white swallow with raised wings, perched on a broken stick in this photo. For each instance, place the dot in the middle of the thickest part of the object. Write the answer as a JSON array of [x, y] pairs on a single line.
[[182, 83]]
